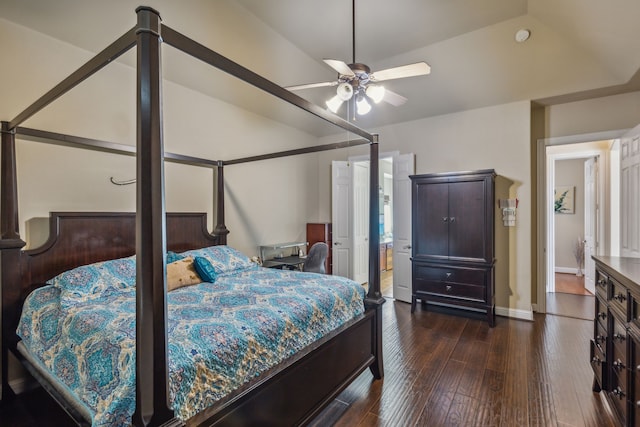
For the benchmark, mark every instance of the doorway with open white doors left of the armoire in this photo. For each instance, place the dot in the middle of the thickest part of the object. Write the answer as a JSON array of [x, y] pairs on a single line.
[[350, 213]]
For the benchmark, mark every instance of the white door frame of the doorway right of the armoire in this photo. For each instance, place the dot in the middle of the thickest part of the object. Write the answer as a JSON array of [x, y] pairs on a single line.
[[542, 208]]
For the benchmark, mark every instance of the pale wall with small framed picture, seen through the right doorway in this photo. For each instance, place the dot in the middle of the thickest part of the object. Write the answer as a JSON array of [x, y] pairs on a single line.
[[569, 227]]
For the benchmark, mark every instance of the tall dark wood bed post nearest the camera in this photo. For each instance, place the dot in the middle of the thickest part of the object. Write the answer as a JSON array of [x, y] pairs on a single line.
[[152, 396]]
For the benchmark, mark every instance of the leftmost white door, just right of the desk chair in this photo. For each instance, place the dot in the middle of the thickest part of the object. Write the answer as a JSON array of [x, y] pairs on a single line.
[[341, 218]]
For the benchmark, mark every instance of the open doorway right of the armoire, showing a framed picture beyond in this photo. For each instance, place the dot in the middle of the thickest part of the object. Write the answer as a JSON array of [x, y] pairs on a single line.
[[583, 152]]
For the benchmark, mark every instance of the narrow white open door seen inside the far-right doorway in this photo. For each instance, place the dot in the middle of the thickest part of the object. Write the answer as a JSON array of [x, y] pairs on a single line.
[[590, 221]]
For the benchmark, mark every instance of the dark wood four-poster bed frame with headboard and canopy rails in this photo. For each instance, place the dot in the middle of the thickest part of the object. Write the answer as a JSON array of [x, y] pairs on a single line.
[[292, 393]]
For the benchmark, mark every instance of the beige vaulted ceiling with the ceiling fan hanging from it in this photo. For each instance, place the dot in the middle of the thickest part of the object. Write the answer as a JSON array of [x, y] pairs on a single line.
[[577, 48]]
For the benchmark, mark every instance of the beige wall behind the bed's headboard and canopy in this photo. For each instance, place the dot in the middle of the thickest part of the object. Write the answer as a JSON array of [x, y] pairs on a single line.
[[268, 201]]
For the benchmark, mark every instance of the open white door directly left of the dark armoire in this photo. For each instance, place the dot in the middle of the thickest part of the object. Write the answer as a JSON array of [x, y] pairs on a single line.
[[403, 166]]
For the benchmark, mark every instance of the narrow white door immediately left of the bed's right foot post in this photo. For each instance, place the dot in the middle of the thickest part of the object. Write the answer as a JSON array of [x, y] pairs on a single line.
[[361, 221]]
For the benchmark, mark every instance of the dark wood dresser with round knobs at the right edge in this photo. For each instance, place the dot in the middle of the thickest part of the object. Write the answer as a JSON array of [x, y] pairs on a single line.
[[615, 346]]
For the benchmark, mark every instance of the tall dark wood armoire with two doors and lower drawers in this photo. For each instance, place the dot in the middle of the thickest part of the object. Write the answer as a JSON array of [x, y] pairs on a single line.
[[453, 249]]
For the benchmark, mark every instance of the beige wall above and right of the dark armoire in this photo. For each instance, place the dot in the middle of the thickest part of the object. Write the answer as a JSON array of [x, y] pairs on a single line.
[[487, 138]]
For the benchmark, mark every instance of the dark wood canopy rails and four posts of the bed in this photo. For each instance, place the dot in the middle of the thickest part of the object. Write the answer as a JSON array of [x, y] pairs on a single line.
[[152, 398]]
